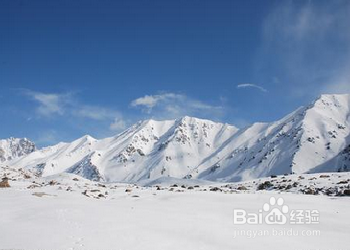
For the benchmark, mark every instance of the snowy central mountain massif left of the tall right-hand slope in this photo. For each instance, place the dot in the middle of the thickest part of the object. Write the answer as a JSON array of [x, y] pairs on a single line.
[[149, 149]]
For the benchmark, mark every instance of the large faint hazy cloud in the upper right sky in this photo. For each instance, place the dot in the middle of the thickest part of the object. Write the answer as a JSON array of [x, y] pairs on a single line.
[[309, 45]]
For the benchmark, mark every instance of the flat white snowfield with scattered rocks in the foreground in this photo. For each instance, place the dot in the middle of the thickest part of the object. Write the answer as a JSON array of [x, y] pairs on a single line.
[[69, 212]]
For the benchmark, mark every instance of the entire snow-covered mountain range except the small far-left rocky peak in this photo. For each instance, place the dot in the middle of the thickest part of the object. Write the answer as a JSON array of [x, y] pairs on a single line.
[[311, 139]]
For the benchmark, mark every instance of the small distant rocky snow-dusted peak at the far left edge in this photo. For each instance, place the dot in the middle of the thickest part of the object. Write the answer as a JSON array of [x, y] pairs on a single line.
[[13, 148]]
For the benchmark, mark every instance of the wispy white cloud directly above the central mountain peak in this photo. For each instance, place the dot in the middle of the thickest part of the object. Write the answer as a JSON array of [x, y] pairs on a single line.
[[172, 105]]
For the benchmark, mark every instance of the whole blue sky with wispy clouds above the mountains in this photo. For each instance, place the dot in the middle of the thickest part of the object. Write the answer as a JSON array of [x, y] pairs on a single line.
[[69, 68]]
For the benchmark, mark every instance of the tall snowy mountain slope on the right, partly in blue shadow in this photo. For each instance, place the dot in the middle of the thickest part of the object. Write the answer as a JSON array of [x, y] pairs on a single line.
[[305, 141]]
